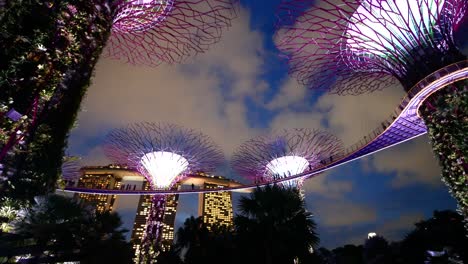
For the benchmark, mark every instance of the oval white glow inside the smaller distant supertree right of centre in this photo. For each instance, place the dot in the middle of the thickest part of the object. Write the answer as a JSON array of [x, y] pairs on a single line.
[[287, 166]]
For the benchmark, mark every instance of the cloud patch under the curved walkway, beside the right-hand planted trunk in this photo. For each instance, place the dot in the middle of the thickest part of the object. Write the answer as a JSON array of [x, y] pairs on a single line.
[[411, 163]]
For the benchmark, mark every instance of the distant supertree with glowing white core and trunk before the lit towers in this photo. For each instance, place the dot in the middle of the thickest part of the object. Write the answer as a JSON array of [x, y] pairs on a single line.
[[164, 154]]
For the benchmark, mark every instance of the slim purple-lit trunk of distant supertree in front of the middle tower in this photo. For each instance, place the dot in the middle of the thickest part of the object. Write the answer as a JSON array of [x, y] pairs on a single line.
[[154, 224]]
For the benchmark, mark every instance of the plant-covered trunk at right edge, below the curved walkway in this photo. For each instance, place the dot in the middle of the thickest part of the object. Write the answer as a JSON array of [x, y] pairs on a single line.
[[445, 114]]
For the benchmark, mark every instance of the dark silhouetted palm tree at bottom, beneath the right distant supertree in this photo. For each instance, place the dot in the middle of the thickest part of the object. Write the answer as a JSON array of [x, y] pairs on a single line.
[[274, 226]]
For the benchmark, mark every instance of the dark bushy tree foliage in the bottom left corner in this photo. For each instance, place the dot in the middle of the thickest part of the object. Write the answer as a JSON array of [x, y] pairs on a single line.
[[59, 229]]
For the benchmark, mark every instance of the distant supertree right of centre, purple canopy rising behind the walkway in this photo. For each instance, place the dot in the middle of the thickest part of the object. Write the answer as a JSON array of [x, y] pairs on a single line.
[[285, 153]]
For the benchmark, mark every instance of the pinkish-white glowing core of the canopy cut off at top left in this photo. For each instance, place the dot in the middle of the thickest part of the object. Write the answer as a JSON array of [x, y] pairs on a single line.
[[140, 15]]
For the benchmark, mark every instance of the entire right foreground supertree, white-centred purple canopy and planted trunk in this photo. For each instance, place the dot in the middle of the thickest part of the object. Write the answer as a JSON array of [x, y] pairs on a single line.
[[359, 46]]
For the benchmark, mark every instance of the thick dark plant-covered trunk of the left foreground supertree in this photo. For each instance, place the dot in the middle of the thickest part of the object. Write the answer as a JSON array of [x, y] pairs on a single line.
[[49, 51]]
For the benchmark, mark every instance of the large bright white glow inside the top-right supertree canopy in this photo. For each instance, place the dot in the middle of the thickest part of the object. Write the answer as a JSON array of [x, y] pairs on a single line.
[[374, 29]]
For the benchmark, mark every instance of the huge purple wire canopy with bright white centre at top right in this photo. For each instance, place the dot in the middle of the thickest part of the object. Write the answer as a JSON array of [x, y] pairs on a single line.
[[353, 47]]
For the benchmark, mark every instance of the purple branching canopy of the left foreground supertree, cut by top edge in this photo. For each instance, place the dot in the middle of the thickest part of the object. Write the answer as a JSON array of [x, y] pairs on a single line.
[[149, 32]]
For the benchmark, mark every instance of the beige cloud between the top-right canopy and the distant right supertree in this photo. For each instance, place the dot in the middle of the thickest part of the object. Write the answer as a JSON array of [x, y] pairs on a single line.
[[348, 117]]
